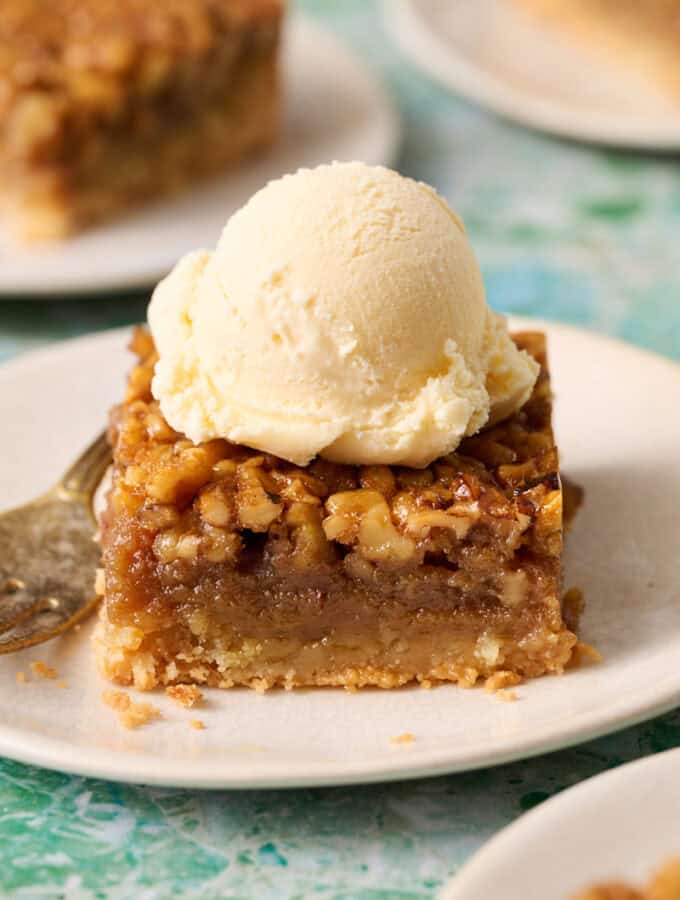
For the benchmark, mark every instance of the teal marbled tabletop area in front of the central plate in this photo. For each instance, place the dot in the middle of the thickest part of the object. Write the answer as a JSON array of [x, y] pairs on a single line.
[[80, 839]]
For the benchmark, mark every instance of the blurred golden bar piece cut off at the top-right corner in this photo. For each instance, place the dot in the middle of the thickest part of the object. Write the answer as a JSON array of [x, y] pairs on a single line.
[[641, 35]]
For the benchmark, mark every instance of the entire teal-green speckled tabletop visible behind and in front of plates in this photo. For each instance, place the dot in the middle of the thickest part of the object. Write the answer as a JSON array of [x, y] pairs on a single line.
[[584, 235]]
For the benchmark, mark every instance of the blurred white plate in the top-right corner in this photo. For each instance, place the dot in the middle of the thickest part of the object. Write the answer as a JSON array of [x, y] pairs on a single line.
[[490, 52]]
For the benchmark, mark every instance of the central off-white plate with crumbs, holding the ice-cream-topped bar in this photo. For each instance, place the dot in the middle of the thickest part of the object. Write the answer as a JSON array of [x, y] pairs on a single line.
[[619, 429]]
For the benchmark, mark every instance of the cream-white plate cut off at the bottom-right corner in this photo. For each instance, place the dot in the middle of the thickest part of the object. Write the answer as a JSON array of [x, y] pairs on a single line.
[[622, 825]]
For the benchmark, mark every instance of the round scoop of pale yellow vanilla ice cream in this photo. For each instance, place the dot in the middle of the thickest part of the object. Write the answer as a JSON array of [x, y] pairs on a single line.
[[342, 314]]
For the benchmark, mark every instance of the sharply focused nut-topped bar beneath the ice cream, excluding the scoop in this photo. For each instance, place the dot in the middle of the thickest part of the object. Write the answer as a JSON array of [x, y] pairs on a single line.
[[227, 566]]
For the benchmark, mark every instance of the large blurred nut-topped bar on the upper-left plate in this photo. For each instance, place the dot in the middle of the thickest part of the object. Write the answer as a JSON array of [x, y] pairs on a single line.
[[107, 103]]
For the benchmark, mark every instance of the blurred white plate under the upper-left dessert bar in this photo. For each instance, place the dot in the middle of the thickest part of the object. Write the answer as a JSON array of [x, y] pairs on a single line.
[[334, 109]]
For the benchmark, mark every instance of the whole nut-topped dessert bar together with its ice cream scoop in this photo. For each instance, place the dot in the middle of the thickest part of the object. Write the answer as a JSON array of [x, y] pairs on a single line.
[[333, 465]]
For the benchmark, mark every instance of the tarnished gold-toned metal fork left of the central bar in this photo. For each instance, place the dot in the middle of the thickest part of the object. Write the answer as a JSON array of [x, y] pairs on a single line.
[[48, 556]]
